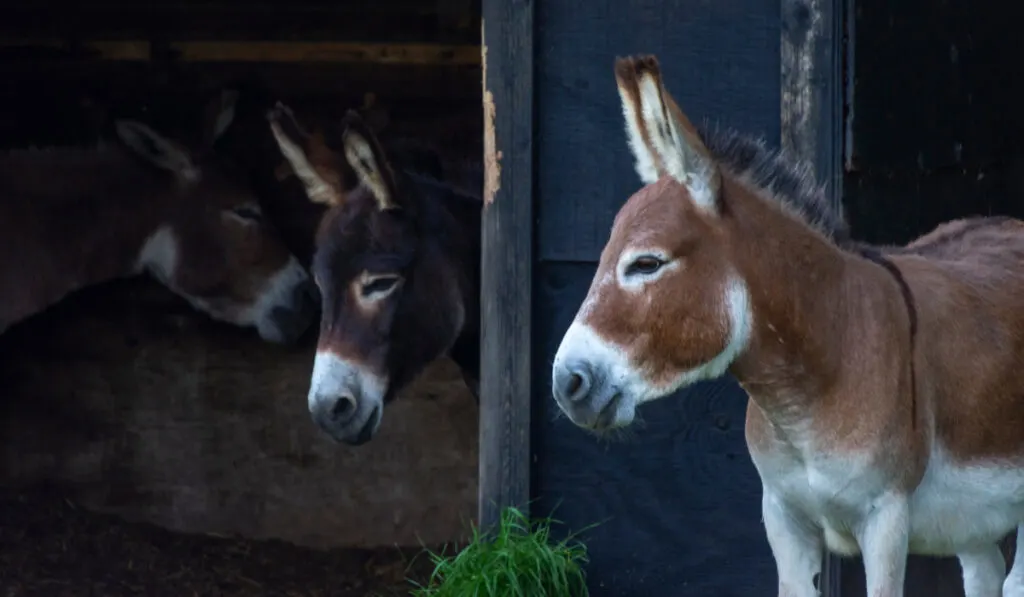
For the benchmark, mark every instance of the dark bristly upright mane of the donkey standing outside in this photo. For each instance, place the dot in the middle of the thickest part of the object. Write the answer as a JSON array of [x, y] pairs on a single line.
[[791, 183]]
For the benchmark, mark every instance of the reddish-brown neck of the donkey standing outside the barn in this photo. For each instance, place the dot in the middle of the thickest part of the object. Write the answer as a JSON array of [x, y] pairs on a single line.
[[826, 320]]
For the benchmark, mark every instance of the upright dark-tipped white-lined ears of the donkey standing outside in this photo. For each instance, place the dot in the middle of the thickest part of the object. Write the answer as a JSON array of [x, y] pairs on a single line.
[[663, 140]]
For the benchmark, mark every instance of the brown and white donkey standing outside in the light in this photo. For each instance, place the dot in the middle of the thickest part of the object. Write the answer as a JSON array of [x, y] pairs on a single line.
[[886, 412]]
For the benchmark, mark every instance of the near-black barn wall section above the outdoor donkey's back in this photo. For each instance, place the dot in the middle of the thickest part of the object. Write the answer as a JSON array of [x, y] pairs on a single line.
[[936, 135]]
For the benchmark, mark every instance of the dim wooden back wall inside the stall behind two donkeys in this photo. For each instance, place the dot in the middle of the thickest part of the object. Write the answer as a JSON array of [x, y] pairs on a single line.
[[126, 401]]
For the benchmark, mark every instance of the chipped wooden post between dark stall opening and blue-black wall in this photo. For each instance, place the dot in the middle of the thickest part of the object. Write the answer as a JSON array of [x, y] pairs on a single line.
[[507, 260]]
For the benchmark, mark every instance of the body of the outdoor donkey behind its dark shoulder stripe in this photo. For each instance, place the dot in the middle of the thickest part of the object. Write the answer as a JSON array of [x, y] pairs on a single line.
[[967, 279]]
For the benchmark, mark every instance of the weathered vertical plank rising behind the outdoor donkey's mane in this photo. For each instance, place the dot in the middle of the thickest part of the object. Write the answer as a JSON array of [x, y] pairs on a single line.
[[813, 122]]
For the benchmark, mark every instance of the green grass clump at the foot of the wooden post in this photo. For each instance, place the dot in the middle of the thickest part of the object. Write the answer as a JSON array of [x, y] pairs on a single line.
[[518, 561]]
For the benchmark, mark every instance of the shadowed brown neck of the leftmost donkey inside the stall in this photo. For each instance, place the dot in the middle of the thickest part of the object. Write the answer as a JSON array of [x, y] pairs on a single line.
[[97, 228]]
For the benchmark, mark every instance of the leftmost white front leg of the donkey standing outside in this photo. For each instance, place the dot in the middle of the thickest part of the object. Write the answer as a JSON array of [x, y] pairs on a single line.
[[796, 545]]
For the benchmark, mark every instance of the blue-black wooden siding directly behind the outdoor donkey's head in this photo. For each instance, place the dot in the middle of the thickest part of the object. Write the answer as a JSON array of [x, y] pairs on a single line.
[[678, 500]]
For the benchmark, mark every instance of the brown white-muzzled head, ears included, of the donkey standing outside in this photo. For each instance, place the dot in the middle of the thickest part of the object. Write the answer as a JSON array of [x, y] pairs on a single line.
[[667, 307]]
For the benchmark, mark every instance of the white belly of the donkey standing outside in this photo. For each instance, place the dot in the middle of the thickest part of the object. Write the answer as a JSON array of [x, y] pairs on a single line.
[[958, 505]]
